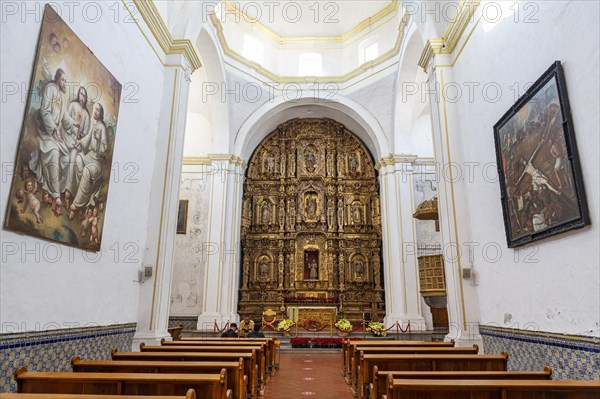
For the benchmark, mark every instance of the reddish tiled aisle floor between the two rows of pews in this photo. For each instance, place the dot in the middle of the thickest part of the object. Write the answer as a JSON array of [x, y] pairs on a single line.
[[311, 374]]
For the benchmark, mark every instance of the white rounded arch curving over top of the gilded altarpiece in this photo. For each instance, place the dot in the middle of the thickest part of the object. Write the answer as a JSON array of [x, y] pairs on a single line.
[[339, 108]]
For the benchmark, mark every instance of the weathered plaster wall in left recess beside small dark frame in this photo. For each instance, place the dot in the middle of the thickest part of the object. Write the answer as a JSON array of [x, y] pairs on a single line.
[[189, 270]]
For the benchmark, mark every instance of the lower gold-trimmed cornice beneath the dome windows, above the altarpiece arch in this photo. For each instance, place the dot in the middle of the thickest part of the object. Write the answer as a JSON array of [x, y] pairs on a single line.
[[274, 77]]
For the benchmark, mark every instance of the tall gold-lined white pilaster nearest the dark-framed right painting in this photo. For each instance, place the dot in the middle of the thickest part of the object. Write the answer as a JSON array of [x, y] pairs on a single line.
[[463, 302]]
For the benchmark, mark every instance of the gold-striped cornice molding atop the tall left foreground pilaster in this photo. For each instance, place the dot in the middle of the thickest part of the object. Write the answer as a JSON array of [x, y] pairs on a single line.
[[163, 37]]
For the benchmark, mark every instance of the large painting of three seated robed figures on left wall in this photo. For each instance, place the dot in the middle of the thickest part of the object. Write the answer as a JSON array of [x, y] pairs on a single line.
[[63, 164]]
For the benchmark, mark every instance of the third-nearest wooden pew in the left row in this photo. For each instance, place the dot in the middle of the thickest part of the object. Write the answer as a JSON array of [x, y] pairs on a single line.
[[236, 380]]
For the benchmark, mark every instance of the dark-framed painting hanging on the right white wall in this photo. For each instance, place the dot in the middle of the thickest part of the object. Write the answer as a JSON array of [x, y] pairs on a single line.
[[541, 182]]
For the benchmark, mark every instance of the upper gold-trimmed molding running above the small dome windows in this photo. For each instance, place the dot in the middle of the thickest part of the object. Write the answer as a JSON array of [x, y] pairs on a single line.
[[392, 8]]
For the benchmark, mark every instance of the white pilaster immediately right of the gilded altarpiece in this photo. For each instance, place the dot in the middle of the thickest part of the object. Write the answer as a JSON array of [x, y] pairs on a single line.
[[403, 302]]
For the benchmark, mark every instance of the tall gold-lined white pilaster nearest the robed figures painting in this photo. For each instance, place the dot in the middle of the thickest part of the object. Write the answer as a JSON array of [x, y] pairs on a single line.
[[154, 299]]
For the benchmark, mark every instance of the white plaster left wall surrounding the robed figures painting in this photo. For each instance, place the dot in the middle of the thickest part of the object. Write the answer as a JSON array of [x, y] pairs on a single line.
[[40, 290]]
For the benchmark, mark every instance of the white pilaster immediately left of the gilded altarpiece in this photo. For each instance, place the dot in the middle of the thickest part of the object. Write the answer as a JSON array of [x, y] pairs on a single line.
[[223, 247]]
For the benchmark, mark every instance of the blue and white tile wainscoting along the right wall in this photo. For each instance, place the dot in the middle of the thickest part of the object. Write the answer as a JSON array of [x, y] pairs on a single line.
[[571, 357]]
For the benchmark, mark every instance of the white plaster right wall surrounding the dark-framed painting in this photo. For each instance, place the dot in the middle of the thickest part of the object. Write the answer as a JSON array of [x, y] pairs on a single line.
[[552, 285]]
